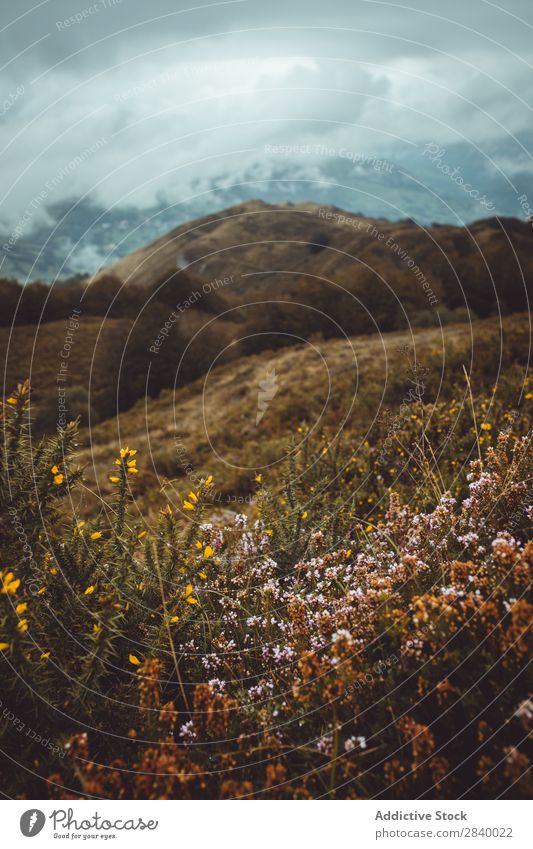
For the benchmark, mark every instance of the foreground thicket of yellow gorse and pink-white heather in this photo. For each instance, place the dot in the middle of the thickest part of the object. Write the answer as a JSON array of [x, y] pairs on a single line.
[[348, 639]]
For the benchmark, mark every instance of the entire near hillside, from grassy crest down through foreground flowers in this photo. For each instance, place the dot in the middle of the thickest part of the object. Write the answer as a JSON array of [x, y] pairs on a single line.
[[334, 614]]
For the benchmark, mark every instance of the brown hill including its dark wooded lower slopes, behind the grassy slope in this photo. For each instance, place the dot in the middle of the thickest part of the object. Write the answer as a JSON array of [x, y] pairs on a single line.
[[254, 278]]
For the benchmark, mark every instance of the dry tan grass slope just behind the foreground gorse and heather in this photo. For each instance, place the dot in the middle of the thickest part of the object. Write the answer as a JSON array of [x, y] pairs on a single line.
[[324, 385]]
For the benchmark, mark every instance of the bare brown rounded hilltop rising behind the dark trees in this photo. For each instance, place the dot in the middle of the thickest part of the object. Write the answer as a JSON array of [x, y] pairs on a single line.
[[266, 246]]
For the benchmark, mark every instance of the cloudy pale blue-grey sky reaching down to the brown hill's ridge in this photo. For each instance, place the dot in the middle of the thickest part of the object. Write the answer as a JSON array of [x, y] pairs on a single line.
[[420, 109]]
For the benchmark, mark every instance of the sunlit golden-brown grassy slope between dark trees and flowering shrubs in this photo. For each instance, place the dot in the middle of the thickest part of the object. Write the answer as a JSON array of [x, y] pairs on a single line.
[[351, 386]]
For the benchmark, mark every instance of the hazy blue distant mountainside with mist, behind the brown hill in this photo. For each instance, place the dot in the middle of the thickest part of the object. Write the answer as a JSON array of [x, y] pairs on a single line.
[[80, 235]]
